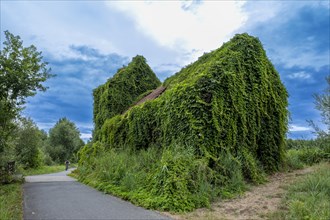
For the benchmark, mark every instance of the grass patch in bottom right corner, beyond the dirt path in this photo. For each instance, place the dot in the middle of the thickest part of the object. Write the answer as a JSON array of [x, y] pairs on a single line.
[[308, 198]]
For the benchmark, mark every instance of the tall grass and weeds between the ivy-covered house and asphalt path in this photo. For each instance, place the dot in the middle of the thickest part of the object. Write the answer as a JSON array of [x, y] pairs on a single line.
[[171, 179]]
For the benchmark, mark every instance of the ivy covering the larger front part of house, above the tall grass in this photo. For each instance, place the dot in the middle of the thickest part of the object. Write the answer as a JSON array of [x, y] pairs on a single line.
[[230, 100]]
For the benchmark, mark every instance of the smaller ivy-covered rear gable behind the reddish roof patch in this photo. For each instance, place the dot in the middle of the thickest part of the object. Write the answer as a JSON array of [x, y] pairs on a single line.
[[122, 90]]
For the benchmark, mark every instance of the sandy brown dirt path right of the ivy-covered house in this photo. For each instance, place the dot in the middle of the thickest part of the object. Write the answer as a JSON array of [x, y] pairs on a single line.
[[254, 204]]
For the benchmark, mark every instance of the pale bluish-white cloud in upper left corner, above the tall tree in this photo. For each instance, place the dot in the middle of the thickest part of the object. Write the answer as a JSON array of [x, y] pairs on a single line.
[[54, 25]]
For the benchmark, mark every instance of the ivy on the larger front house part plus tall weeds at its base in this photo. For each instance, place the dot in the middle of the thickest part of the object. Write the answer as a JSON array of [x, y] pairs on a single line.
[[221, 120]]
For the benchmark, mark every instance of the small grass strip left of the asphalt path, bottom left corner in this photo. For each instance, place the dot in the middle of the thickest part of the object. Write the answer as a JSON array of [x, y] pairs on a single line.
[[11, 201]]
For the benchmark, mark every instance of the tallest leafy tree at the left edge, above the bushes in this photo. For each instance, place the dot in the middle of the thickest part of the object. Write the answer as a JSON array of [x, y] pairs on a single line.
[[22, 72]]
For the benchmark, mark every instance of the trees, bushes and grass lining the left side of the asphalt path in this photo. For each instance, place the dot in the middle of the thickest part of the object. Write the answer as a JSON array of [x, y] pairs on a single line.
[[24, 148]]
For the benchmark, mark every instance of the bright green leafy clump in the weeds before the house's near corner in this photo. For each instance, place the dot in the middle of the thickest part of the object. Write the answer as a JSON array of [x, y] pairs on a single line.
[[173, 183]]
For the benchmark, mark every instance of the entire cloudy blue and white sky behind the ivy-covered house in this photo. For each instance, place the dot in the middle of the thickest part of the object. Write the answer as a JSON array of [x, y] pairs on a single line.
[[85, 42]]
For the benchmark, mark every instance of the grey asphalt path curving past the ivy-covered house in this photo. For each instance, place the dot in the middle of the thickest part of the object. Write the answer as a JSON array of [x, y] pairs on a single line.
[[57, 196]]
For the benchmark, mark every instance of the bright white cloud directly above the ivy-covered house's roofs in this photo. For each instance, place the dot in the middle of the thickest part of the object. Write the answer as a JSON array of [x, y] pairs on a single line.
[[185, 26]]
